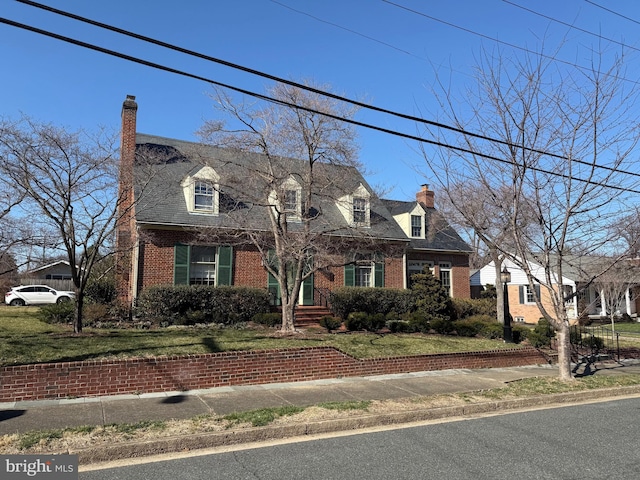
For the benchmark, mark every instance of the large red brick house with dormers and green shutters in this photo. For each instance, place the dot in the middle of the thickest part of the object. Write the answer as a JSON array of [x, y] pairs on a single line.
[[186, 206]]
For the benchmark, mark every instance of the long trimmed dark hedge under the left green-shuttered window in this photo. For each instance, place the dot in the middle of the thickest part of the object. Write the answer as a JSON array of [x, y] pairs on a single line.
[[187, 305]]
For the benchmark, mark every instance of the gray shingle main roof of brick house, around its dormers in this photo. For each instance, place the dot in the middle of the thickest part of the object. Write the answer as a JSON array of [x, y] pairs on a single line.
[[163, 163]]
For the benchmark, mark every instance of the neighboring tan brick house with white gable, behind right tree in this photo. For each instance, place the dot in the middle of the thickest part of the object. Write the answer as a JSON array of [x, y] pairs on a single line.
[[522, 305]]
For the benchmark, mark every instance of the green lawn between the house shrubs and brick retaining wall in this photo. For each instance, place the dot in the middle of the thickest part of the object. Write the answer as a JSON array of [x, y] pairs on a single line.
[[25, 339]]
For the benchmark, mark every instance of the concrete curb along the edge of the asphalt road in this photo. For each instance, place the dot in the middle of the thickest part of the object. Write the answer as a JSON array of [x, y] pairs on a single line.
[[278, 432]]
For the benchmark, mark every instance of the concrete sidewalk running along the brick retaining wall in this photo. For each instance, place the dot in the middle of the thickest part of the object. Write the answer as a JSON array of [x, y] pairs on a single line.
[[20, 417]]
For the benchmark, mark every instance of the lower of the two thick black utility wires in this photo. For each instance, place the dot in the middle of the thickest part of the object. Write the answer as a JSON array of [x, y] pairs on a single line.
[[291, 105]]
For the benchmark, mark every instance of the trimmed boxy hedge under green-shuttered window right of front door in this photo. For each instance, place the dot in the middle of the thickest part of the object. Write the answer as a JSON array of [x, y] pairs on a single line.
[[346, 300]]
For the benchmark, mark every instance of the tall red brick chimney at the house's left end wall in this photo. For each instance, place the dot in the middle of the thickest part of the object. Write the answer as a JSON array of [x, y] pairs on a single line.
[[125, 219]]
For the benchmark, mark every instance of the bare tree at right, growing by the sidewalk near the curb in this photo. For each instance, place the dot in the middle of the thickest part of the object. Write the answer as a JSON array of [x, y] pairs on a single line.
[[565, 138]]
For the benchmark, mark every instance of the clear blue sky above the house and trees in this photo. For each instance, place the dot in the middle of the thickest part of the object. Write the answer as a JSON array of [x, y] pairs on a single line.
[[365, 49]]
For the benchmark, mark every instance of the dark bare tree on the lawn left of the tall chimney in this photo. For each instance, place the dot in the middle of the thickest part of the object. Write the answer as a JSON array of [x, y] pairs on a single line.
[[70, 184]]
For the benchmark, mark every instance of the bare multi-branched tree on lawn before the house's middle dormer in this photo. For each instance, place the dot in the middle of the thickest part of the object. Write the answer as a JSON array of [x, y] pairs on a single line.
[[306, 159]]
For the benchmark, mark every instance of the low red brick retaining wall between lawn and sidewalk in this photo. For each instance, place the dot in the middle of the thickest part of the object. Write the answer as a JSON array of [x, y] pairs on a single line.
[[190, 372]]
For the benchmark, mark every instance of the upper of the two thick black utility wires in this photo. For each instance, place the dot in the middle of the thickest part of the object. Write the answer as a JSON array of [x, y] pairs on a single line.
[[298, 85]]
